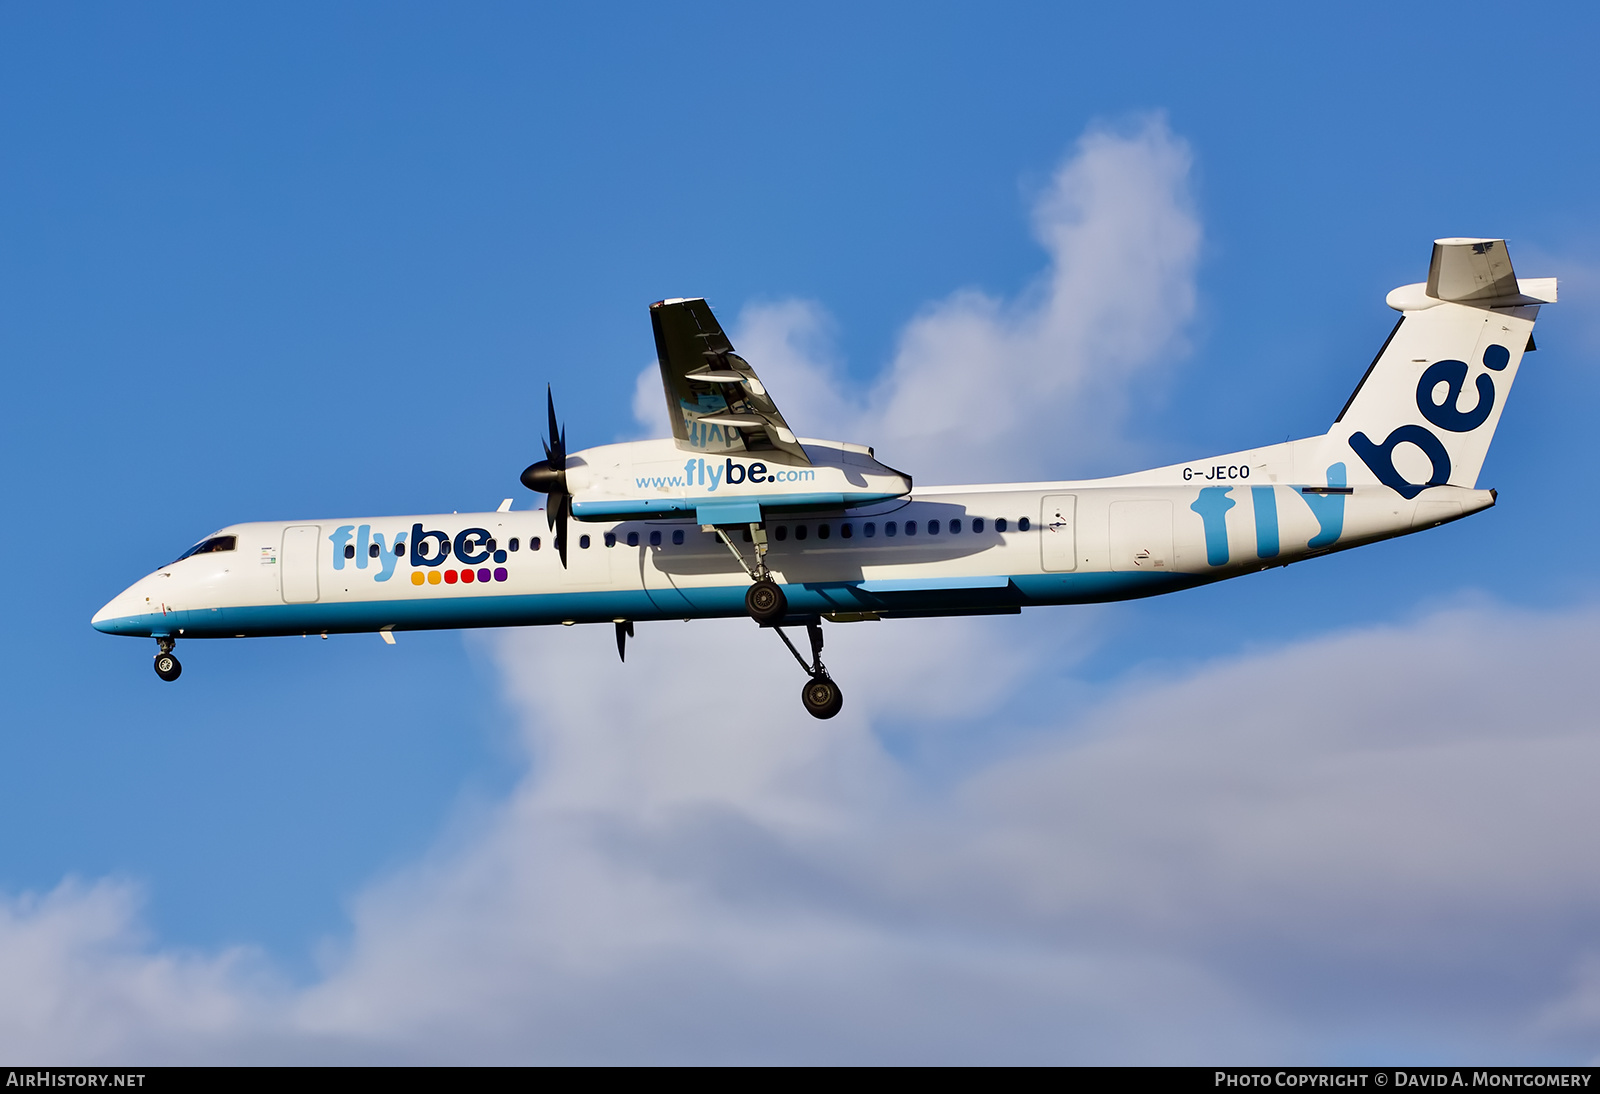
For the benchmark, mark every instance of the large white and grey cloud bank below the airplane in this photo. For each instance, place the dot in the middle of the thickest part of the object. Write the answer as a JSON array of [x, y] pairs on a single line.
[[1369, 839]]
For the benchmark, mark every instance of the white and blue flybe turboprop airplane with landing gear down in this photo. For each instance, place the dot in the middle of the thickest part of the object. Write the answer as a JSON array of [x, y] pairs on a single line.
[[737, 516]]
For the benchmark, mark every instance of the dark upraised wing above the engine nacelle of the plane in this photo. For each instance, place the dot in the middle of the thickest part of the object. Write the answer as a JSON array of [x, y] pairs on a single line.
[[714, 399]]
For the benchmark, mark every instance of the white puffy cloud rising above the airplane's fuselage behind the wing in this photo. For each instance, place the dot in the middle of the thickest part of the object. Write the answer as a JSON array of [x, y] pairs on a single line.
[[1034, 388]]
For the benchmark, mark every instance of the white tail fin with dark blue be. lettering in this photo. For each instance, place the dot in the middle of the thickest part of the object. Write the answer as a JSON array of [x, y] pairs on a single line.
[[1426, 410]]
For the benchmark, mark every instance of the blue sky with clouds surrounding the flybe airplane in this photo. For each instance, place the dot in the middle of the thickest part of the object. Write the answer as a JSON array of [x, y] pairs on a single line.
[[308, 262]]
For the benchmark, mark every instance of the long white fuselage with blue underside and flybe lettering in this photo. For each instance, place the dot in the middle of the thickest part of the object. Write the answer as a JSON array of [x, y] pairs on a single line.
[[938, 551]]
